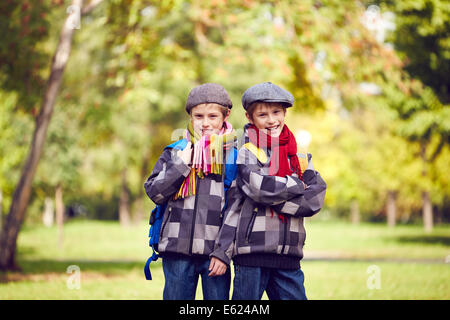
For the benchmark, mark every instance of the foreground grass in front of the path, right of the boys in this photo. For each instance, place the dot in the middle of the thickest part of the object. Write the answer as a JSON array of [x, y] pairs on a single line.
[[348, 280]]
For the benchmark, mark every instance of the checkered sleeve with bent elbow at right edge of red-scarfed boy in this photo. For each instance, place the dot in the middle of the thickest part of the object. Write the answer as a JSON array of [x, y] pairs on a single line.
[[310, 202]]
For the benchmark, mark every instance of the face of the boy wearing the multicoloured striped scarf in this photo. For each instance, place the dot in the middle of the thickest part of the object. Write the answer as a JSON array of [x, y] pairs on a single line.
[[208, 119]]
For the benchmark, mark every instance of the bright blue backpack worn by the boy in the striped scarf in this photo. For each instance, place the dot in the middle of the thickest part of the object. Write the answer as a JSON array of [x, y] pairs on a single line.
[[157, 214]]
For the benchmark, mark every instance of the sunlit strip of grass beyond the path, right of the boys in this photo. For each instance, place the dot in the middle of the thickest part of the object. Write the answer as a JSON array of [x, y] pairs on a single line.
[[377, 241]]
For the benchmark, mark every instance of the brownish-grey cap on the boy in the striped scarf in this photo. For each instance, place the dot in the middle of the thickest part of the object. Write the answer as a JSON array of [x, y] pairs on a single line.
[[208, 93]]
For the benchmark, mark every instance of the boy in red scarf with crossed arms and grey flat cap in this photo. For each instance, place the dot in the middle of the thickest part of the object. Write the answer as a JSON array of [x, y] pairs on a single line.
[[263, 230]]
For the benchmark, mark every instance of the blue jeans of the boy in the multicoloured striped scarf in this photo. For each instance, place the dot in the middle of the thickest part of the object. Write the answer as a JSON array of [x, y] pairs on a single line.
[[181, 277]]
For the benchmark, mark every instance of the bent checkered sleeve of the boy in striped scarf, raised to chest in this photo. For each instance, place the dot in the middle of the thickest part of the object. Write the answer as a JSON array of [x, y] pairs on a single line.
[[167, 176]]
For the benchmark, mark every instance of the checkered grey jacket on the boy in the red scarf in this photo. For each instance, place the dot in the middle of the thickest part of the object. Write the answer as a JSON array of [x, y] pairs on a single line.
[[251, 227]]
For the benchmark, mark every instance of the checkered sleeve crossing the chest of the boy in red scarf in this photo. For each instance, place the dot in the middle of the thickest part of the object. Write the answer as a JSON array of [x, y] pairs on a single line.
[[262, 188]]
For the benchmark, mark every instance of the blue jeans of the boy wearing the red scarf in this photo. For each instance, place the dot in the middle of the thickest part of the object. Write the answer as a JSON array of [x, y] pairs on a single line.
[[251, 282]]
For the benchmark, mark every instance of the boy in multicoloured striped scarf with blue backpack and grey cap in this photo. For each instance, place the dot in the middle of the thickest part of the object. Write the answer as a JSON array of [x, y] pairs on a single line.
[[190, 177]]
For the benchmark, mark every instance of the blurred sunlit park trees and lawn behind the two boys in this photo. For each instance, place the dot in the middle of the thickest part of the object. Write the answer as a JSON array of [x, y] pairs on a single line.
[[371, 86]]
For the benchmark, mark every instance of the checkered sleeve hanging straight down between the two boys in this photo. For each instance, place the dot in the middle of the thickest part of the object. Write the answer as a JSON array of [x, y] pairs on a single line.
[[223, 248]]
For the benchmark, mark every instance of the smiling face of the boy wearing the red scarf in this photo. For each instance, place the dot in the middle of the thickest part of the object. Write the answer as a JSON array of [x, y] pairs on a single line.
[[268, 117]]
